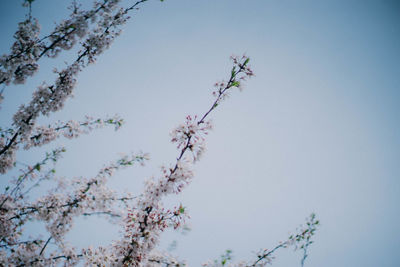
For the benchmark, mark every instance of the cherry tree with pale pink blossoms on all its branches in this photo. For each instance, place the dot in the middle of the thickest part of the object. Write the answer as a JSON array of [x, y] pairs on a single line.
[[143, 217]]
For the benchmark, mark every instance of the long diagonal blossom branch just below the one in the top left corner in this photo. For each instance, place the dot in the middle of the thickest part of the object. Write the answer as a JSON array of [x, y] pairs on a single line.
[[50, 98]]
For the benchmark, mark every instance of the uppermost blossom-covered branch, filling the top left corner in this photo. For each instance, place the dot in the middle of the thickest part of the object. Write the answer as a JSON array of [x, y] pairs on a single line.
[[28, 48]]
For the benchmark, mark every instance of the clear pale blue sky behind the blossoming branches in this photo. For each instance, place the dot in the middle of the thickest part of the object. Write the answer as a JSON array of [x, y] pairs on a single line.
[[316, 130]]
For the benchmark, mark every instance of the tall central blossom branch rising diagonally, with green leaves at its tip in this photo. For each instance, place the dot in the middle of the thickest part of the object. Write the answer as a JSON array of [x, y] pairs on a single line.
[[143, 225]]
